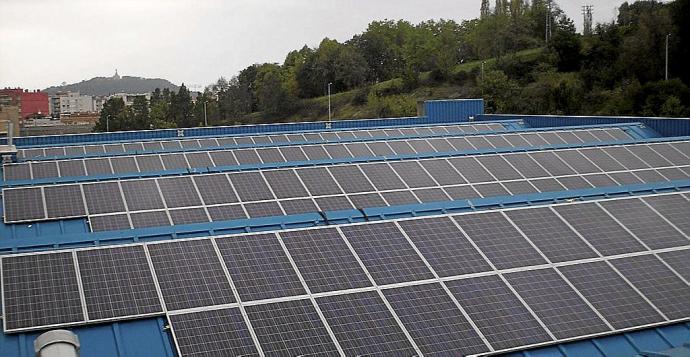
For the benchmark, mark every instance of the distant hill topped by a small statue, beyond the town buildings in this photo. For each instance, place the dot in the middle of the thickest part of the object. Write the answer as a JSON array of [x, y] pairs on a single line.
[[115, 84]]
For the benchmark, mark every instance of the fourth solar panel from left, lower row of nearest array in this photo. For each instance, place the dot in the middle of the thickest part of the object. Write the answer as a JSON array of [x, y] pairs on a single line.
[[434, 321]]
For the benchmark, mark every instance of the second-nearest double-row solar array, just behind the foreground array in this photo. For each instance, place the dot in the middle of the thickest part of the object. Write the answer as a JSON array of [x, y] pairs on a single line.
[[277, 192]]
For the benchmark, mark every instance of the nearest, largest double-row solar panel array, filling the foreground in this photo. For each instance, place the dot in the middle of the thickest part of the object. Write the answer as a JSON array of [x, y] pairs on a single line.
[[431, 285]]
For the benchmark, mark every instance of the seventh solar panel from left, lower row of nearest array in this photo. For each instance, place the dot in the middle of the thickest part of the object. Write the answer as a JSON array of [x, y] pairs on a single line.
[[617, 302]]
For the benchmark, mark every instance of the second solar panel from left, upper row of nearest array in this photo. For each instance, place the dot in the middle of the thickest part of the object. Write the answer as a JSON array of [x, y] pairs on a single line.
[[117, 282]]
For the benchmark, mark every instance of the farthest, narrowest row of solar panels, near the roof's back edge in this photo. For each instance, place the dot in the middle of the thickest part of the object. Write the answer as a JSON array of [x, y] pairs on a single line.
[[263, 139]]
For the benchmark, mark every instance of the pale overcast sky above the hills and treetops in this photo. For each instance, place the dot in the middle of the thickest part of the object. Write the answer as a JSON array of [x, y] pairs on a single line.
[[46, 42]]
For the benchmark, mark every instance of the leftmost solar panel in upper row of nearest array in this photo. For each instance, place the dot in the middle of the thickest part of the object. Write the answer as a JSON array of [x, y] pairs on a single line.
[[40, 290]]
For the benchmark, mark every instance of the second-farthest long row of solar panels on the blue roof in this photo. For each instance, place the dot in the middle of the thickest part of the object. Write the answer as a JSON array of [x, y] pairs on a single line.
[[223, 158]]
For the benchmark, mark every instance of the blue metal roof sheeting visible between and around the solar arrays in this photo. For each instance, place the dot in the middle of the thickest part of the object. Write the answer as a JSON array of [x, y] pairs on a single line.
[[150, 337]]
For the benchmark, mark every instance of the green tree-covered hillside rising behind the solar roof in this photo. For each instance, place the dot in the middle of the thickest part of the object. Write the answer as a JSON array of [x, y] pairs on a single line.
[[617, 69]]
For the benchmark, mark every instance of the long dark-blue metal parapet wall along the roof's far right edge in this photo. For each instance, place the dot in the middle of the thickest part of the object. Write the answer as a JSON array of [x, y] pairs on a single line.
[[664, 126]]
